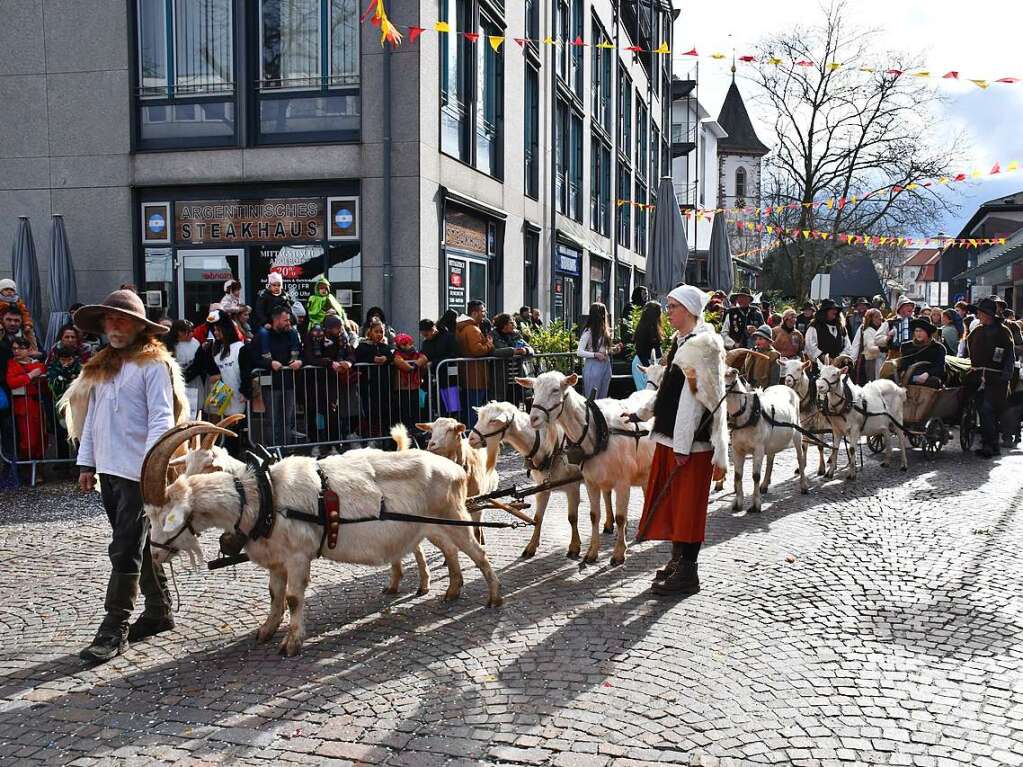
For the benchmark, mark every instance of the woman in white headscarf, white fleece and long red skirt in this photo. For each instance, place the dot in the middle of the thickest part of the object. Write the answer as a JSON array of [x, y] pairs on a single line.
[[678, 493]]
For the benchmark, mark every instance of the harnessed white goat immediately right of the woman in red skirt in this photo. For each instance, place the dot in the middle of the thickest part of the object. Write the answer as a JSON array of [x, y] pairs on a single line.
[[758, 418]]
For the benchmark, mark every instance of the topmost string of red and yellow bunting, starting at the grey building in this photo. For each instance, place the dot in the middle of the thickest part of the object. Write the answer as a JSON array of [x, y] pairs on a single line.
[[389, 34]]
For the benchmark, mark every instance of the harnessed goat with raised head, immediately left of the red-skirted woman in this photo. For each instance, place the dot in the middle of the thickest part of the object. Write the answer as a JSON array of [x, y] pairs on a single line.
[[624, 465]]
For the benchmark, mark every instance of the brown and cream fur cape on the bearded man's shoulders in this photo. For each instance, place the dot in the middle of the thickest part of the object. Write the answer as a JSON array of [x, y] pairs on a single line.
[[74, 407]]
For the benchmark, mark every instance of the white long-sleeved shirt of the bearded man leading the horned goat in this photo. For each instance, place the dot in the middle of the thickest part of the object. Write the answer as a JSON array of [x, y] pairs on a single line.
[[127, 416]]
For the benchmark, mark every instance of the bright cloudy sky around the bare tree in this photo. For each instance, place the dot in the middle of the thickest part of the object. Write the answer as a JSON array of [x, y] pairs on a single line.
[[980, 39]]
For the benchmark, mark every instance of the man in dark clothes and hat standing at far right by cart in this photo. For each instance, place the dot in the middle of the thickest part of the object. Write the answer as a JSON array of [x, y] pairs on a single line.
[[990, 346]]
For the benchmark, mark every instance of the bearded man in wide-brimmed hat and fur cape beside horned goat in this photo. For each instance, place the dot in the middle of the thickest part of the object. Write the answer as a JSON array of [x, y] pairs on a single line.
[[126, 398]]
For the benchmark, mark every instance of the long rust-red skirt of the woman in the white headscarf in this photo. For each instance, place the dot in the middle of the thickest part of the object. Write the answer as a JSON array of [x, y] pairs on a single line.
[[681, 515]]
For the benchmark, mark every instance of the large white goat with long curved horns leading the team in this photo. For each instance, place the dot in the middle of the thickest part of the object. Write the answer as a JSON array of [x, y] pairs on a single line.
[[410, 482]]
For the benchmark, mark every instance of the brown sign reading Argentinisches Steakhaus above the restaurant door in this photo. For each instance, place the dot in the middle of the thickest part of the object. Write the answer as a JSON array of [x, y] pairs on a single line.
[[223, 221]]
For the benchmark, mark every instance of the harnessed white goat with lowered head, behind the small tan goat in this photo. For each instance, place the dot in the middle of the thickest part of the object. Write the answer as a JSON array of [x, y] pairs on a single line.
[[504, 423]]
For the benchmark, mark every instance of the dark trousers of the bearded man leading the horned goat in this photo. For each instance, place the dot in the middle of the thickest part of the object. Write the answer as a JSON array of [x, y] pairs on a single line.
[[129, 550]]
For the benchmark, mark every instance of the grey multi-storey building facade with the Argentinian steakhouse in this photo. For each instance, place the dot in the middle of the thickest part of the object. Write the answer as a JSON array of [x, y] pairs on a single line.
[[190, 142]]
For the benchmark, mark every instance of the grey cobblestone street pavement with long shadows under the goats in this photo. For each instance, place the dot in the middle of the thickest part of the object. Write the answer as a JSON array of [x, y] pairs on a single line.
[[879, 622]]
